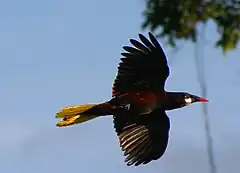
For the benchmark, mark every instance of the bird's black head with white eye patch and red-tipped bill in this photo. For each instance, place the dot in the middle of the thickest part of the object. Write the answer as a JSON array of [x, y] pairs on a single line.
[[180, 99]]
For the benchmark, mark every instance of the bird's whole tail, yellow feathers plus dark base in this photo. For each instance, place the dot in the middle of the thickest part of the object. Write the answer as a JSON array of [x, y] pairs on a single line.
[[78, 114]]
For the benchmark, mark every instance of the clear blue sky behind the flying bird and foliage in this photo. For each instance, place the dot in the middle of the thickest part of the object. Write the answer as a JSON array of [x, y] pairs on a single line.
[[58, 53]]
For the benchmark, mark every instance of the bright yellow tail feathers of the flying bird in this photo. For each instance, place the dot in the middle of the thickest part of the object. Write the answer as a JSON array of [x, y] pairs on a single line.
[[72, 115]]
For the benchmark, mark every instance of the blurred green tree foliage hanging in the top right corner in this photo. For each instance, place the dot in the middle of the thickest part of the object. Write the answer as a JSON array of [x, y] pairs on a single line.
[[178, 19]]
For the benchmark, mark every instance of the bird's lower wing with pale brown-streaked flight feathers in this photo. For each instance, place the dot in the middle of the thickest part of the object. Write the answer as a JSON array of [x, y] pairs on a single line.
[[143, 138]]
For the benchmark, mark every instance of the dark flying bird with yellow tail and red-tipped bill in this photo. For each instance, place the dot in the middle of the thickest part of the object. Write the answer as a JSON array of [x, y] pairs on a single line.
[[138, 104]]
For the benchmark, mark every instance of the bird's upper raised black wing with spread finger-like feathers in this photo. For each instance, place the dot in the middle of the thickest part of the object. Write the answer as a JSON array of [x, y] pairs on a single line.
[[143, 67]]
